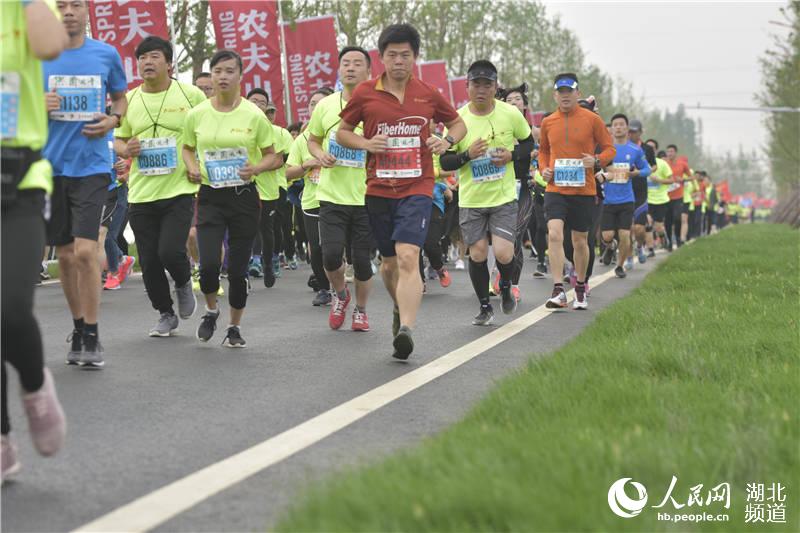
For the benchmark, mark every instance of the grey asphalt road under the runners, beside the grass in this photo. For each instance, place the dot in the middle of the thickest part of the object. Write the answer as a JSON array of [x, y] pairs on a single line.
[[165, 408]]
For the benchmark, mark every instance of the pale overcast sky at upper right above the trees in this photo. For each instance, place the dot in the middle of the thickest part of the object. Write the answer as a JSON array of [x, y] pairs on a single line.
[[684, 52]]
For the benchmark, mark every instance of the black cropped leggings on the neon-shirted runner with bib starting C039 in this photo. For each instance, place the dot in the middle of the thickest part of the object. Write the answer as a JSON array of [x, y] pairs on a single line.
[[235, 210]]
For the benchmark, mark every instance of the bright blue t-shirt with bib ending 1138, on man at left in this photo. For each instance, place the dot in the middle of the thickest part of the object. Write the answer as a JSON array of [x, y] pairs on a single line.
[[84, 77]]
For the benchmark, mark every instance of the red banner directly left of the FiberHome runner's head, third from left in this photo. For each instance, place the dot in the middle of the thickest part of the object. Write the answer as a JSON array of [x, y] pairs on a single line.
[[312, 60]]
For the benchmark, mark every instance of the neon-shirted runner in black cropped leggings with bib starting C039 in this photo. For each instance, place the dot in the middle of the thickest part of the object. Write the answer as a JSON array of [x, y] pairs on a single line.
[[227, 143]]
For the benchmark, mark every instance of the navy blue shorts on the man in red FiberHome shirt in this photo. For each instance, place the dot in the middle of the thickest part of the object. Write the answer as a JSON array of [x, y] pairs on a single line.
[[399, 220]]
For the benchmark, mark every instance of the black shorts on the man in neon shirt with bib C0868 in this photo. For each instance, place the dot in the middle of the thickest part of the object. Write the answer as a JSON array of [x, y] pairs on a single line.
[[340, 225]]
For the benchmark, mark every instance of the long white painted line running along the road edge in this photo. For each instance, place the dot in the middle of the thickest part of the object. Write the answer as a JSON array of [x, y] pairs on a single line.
[[155, 508]]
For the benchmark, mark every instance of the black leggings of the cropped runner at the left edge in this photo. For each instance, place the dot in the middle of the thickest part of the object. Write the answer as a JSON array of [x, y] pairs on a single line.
[[23, 242]]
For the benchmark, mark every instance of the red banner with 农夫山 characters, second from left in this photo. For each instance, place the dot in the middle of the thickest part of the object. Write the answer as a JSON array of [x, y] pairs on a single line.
[[251, 29]]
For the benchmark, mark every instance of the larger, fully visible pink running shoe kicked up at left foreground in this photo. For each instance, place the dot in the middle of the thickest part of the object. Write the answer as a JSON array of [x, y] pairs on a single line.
[[46, 420]]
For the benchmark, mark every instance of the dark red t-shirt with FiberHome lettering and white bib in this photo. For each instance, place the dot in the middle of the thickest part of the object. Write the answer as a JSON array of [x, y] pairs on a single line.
[[406, 168]]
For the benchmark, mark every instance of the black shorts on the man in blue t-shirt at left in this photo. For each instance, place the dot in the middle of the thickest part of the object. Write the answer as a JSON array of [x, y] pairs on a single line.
[[77, 208]]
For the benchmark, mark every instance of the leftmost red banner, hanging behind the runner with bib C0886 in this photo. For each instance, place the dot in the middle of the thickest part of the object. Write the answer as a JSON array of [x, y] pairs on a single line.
[[123, 25]]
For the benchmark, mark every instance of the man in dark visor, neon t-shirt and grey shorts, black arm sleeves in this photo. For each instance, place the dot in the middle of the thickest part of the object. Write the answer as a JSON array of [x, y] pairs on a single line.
[[486, 174]]
